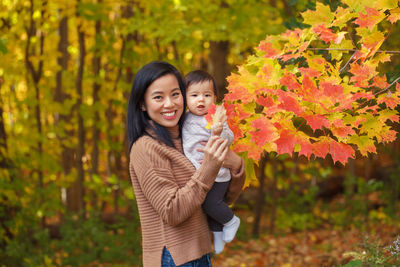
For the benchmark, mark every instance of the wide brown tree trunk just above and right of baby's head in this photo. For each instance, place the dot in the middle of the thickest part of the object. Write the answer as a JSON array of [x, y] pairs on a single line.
[[218, 65]]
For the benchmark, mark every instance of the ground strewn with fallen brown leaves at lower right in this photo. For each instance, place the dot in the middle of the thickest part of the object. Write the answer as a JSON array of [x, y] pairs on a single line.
[[319, 247]]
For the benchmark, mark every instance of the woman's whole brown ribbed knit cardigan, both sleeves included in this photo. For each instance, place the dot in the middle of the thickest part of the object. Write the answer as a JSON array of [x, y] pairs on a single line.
[[169, 193]]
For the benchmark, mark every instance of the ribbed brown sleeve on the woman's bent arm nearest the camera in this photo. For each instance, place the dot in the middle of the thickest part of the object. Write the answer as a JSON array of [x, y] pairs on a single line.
[[172, 202]]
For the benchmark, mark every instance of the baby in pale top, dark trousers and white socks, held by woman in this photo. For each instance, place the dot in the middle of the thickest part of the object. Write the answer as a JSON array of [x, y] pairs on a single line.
[[201, 93]]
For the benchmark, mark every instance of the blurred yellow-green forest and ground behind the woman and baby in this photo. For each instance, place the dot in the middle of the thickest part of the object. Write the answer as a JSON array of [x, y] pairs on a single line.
[[66, 71]]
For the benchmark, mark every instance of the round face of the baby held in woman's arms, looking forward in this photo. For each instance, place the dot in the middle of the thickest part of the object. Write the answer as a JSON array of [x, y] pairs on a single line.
[[199, 97]]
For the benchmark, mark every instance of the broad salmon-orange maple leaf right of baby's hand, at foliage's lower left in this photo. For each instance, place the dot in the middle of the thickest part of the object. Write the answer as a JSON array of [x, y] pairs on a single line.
[[265, 131]]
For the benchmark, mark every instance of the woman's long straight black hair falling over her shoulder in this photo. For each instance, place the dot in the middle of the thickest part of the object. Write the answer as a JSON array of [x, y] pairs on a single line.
[[137, 119]]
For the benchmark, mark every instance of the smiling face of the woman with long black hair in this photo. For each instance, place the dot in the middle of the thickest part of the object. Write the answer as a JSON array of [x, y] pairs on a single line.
[[163, 101]]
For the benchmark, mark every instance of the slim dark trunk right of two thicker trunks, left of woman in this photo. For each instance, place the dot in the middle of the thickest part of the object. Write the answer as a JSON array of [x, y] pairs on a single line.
[[95, 131]]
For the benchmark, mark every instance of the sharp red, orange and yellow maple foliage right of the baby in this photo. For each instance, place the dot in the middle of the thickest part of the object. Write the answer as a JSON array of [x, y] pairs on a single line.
[[317, 91]]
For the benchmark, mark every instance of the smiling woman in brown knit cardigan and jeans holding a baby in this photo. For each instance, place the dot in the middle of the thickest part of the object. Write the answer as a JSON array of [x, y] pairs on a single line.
[[169, 190]]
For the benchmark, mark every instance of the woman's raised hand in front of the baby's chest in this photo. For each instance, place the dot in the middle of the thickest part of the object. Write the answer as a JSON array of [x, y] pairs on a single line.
[[215, 151]]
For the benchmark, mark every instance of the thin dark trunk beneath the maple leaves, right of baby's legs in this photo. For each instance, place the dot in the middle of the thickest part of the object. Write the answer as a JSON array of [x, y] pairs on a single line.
[[260, 198]]
